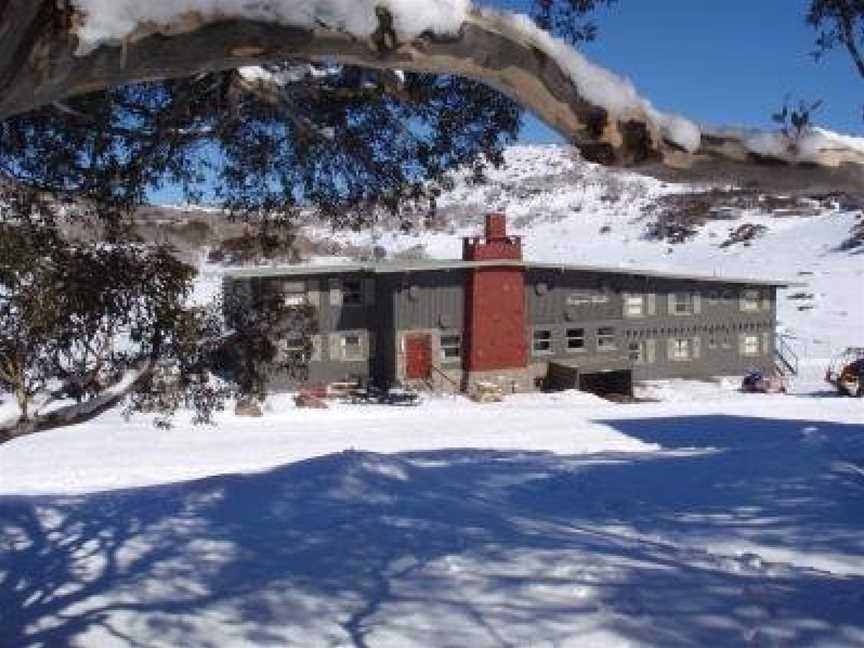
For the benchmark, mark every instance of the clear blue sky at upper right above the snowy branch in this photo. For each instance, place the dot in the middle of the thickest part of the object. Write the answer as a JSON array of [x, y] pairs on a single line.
[[729, 62]]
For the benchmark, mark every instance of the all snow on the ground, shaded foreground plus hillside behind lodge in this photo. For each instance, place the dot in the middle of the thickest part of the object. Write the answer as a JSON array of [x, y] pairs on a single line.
[[701, 516]]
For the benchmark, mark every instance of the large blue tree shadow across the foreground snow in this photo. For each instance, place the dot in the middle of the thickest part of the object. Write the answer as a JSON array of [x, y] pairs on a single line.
[[461, 547]]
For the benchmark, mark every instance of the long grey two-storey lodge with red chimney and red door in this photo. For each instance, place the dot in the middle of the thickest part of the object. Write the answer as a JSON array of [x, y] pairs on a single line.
[[494, 318]]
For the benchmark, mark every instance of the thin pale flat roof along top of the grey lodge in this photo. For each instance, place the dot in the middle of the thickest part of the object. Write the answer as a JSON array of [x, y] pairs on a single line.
[[424, 265]]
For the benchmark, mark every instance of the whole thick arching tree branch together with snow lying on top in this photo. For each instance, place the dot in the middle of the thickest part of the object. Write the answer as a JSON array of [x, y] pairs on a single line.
[[598, 111]]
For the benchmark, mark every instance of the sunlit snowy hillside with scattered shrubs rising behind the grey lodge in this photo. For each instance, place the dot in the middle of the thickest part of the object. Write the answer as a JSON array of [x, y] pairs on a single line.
[[574, 212]]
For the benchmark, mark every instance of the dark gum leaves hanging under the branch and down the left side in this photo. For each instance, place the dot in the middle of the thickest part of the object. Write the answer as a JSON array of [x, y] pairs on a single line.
[[351, 143]]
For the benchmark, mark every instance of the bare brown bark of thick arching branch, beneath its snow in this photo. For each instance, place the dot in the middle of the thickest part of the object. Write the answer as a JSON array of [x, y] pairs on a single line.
[[38, 65]]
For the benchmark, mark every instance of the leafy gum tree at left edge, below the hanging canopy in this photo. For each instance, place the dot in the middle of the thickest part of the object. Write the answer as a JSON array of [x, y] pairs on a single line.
[[77, 317]]
